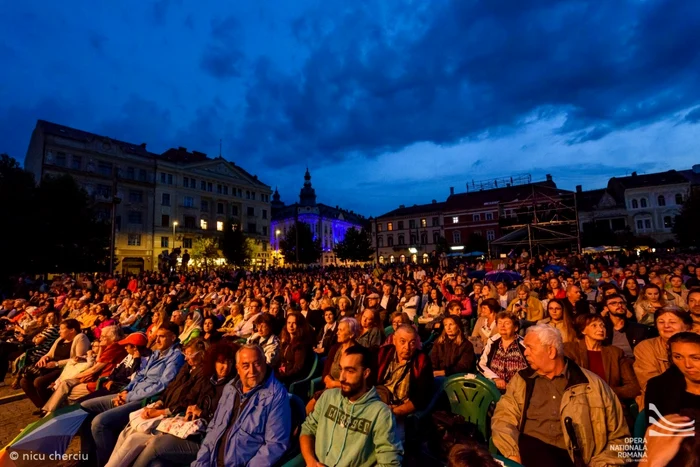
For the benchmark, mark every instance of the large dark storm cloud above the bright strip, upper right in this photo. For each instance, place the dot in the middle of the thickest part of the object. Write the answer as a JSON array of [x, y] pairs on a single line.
[[379, 78]]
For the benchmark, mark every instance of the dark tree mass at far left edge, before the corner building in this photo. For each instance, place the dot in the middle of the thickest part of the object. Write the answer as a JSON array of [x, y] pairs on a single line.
[[48, 228]]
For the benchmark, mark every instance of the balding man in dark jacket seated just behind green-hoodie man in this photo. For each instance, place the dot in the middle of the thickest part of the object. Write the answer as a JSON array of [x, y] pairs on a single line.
[[406, 374]]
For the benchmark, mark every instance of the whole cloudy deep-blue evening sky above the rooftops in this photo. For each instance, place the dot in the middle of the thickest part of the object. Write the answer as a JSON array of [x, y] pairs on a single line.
[[387, 102]]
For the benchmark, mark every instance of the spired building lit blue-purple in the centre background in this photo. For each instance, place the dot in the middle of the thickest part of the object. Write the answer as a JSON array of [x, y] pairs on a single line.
[[327, 223]]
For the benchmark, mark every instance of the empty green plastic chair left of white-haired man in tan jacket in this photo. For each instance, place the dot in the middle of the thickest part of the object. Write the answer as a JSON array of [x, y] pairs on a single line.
[[474, 399]]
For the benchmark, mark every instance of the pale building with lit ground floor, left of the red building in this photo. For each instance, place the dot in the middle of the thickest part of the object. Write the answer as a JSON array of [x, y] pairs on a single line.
[[408, 234]]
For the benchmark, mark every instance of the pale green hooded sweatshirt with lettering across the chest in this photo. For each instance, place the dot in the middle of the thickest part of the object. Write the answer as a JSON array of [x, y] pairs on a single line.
[[359, 434]]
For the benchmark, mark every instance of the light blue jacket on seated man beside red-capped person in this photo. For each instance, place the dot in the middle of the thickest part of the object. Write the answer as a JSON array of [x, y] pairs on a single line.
[[154, 375]]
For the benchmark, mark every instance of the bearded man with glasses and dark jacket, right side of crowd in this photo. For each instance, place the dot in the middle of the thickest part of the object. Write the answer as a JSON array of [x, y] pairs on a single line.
[[619, 331]]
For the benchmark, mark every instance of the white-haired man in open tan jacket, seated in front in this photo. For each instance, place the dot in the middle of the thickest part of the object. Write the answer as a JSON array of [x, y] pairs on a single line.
[[530, 421]]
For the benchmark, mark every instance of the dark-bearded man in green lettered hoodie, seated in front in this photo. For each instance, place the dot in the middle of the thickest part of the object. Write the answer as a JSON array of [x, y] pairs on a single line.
[[351, 424]]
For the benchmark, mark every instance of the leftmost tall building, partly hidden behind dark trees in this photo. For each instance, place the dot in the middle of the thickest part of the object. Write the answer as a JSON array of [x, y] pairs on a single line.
[[113, 173]]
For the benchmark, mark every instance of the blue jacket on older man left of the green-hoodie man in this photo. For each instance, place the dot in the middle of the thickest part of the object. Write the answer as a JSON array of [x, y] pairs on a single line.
[[260, 435]]
